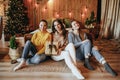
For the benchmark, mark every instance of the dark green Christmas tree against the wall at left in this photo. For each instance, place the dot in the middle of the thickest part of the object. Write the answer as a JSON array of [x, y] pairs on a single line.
[[17, 18]]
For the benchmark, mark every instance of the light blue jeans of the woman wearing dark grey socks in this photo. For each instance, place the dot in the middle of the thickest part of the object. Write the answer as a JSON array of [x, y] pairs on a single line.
[[86, 48]]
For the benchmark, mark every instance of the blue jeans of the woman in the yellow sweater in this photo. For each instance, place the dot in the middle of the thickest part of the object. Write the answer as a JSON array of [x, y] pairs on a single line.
[[29, 49]]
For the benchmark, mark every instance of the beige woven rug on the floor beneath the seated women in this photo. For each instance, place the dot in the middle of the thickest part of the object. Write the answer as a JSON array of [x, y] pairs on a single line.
[[48, 66]]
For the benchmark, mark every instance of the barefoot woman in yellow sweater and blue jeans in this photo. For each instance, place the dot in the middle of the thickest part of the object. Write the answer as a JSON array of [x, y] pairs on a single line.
[[36, 47]]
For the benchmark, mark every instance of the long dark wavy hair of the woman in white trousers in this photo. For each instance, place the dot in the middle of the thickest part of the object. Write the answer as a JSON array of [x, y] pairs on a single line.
[[64, 31]]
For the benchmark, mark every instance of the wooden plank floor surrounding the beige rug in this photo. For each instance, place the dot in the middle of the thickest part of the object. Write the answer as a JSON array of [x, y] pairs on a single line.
[[98, 74]]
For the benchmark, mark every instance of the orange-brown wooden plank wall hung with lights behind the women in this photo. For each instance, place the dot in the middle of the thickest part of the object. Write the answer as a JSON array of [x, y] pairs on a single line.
[[48, 9]]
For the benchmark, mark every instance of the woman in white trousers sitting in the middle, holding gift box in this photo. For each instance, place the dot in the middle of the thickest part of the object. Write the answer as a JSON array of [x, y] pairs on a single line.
[[65, 51]]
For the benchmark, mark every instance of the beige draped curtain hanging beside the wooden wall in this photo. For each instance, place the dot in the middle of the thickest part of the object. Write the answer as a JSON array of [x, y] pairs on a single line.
[[110, 19]]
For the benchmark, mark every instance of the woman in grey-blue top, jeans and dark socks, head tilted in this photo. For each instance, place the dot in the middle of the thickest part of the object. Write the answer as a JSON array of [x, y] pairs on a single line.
[[85, 49]]
